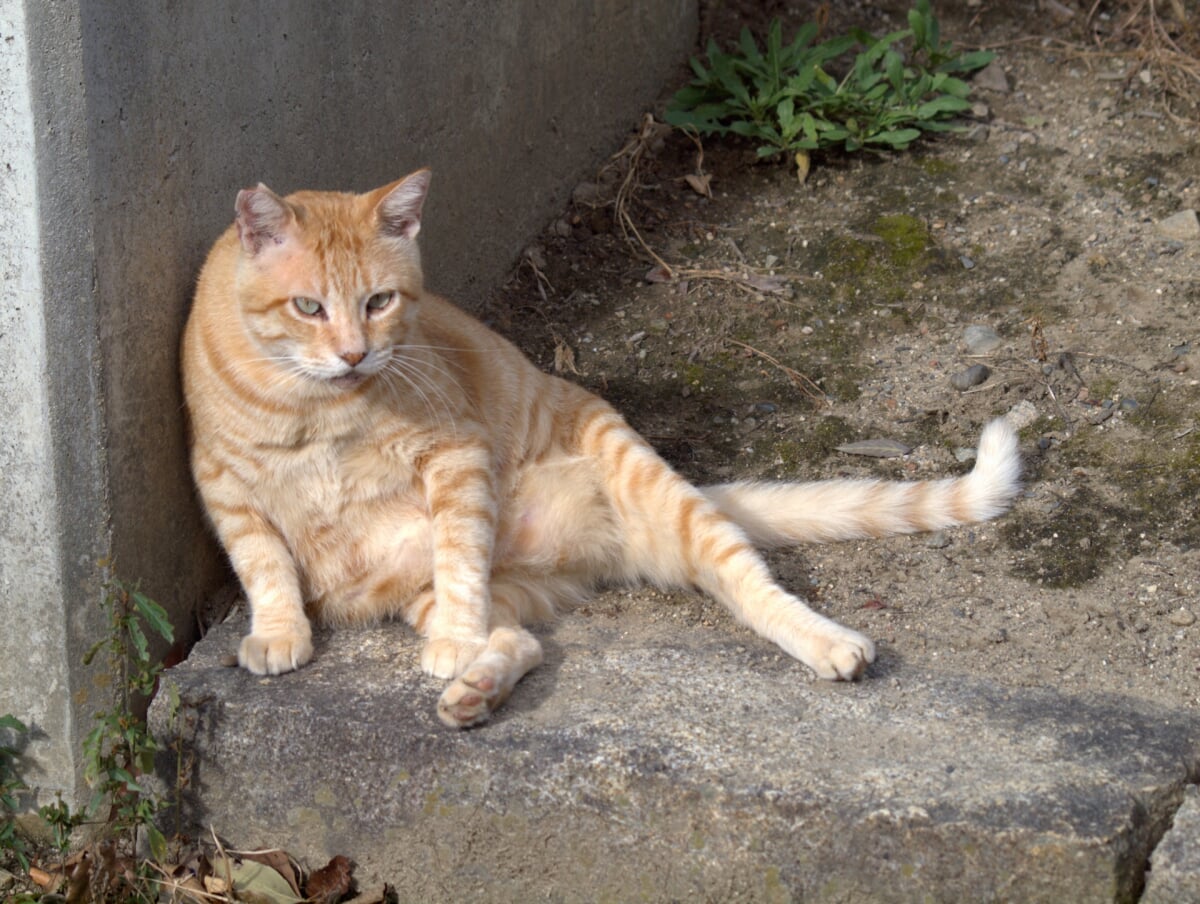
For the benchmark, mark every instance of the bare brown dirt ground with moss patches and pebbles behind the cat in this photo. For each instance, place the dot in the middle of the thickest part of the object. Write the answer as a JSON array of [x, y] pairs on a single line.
[[1042, 224]]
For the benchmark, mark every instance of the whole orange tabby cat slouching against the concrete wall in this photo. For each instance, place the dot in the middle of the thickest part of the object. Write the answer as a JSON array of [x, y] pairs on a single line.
[[365, 448]]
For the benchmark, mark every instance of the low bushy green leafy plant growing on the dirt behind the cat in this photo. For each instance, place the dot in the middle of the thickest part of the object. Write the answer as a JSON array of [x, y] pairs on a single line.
[[784, 97]]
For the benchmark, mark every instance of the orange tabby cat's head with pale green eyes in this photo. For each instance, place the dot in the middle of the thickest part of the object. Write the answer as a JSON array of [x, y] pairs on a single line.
[[328, 283]]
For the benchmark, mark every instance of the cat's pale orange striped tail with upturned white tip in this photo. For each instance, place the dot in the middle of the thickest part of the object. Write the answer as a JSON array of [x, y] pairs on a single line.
[[788, 514]]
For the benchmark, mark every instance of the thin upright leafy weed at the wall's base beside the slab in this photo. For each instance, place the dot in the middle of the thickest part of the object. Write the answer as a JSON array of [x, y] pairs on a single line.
[[119, 752]]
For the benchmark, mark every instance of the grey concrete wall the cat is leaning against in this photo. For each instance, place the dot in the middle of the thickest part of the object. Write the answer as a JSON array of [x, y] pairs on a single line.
[[129, 128]]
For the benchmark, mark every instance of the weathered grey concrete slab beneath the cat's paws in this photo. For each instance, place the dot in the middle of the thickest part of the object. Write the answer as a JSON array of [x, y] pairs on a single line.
[[652, 762]]
